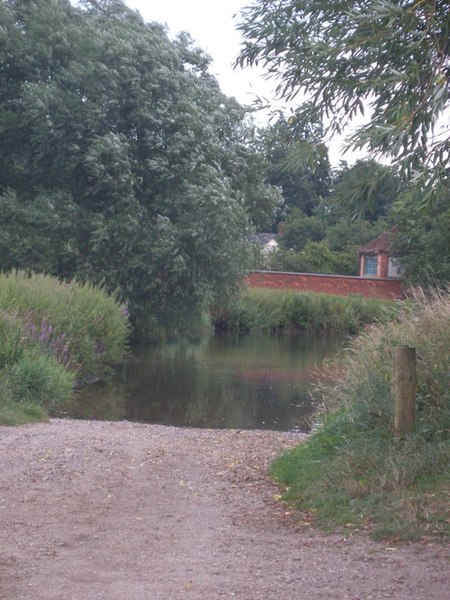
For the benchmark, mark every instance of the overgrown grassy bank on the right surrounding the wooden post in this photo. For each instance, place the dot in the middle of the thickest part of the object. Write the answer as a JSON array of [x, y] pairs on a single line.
[[354, 471]]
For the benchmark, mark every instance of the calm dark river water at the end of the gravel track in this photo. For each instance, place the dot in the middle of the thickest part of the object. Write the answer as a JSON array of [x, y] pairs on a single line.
[[226, 381]]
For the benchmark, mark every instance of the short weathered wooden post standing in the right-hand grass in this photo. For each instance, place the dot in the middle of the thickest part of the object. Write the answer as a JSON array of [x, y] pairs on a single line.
[[405, 390]]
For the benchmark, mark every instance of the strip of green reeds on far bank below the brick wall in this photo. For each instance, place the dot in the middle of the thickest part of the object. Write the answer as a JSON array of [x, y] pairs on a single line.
[[266, 310]]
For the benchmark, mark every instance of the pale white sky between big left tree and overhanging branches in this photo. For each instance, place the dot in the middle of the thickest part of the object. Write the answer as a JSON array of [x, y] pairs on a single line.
[[211, 24]]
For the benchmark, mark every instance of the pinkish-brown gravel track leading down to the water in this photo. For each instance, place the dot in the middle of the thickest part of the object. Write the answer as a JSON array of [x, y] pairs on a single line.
[[124, 511]]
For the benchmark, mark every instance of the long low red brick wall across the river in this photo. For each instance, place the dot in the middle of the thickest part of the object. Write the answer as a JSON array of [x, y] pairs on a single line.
[[338, 285]]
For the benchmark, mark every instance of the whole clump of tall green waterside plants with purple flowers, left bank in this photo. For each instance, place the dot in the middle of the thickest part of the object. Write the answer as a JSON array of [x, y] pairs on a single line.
[[53, 336]]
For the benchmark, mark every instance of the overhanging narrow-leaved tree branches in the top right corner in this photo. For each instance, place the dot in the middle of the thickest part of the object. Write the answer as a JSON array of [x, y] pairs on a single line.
[[391, 59]]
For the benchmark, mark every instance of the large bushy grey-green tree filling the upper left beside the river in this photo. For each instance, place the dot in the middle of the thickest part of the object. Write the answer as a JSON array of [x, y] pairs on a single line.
[[120, 157]]
